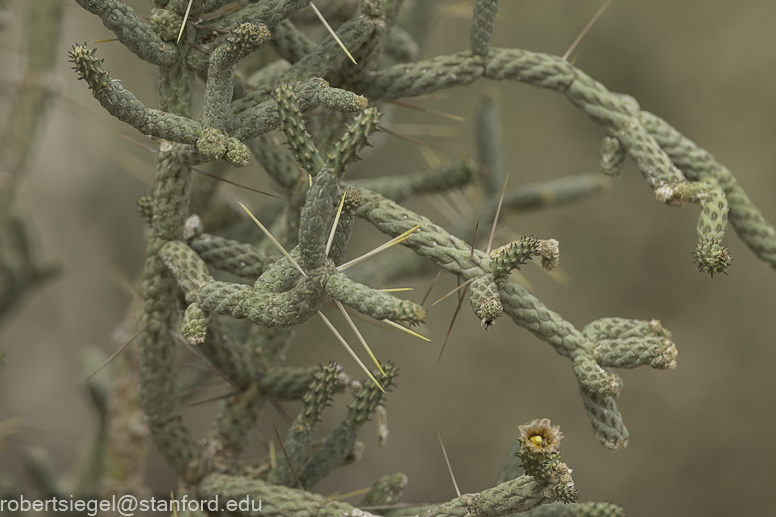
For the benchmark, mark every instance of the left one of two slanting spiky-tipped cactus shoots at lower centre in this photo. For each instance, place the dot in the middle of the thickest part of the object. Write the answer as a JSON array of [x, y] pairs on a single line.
[[298, 442]]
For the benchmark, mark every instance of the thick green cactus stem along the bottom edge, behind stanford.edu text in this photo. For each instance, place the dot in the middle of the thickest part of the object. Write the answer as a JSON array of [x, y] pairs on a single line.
[[274, 500]]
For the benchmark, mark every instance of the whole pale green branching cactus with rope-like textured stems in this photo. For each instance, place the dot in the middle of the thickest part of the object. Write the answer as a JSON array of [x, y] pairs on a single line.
[[274, 295]]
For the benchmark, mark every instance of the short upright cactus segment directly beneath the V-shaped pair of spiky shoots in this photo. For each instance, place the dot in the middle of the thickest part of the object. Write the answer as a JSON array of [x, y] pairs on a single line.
[[316, 219]]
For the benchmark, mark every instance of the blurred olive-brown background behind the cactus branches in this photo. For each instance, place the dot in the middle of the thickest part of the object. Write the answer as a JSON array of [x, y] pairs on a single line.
[[700, 436]]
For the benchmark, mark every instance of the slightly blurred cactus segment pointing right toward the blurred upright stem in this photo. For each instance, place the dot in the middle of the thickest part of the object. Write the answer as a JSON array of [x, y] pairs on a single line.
[[439, 179]]
